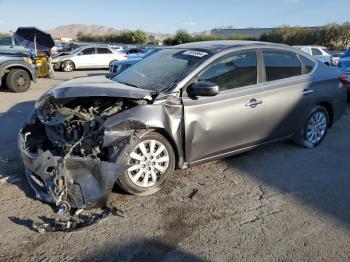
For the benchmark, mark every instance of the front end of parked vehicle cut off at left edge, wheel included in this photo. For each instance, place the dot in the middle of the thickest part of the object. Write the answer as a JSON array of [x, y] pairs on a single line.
[[16, 71]]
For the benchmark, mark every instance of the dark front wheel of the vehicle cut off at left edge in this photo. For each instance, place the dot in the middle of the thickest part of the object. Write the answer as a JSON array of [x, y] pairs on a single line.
[[18, 80]]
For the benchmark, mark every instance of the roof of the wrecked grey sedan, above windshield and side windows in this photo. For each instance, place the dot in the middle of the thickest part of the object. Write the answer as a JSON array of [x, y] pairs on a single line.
[[216, 46]]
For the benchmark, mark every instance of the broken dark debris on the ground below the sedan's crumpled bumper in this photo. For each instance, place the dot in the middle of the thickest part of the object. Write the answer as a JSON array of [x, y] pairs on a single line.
[[75, 222]]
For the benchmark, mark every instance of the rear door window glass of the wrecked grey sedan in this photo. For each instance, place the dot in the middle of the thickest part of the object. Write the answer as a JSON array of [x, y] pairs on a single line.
[[280, 65]]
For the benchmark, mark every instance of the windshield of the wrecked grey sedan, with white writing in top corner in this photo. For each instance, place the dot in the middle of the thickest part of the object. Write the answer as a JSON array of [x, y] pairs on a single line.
[[160, 70]]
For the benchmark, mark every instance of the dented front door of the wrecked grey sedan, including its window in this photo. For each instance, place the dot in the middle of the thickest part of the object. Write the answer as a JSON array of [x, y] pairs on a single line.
[[231, 120]]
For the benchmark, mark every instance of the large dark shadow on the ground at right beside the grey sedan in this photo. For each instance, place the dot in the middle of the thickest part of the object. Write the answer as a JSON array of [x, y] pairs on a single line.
[[316, 178]]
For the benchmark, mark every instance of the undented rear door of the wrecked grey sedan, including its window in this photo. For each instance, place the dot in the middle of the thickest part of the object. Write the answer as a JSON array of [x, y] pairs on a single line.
[[288, 94]]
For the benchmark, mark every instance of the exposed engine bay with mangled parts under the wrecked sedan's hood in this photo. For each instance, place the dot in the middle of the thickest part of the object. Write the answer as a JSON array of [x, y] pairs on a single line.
[[75, 126]]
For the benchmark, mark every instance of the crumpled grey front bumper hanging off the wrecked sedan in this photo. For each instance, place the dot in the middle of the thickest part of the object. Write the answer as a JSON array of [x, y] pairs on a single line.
[[87, 182]]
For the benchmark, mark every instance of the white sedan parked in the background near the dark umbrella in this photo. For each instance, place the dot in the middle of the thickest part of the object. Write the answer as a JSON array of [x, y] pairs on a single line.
[[88, 57]]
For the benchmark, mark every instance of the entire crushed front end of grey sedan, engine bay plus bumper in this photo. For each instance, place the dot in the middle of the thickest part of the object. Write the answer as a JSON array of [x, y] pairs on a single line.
[[62, 147]]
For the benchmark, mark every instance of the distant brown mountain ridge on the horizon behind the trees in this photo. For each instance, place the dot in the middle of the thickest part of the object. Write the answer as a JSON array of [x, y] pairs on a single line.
[[73, 29]]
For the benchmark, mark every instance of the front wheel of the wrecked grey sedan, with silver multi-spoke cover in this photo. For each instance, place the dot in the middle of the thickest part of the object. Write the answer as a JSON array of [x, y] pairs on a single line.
[[156, 178]]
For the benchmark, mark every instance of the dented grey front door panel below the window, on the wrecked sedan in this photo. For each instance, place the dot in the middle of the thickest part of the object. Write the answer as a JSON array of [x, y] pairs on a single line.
[[220, 124]]
